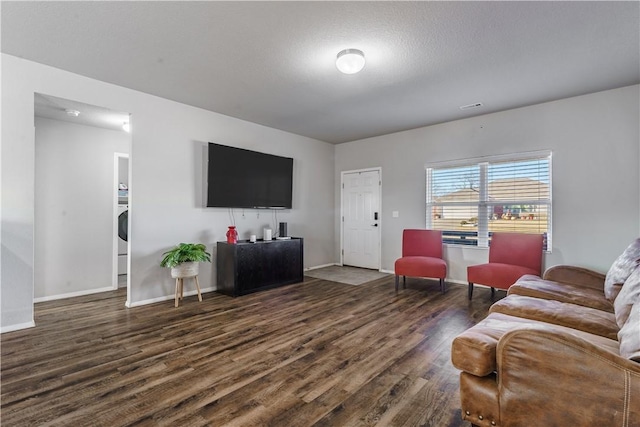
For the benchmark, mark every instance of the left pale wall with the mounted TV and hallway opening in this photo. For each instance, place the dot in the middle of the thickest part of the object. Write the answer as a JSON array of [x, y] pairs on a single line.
[[168, 142]]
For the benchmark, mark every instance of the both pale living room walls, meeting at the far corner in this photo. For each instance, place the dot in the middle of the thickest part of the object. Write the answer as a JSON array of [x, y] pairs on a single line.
[[594, 138]]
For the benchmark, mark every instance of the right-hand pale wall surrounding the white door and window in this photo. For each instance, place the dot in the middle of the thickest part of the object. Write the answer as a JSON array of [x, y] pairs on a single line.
[[595, 144]]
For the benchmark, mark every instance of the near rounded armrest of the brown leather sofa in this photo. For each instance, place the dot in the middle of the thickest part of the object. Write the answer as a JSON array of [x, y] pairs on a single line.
[[576, 381]]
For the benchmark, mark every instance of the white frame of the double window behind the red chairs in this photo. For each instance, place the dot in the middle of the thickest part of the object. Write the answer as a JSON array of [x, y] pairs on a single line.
[[482, 234]]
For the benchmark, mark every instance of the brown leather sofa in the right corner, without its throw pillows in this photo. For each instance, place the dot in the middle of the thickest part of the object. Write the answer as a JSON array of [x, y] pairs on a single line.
[[562, 350]]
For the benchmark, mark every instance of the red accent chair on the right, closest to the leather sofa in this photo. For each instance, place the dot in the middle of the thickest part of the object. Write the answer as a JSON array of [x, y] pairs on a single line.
[[511, 256]]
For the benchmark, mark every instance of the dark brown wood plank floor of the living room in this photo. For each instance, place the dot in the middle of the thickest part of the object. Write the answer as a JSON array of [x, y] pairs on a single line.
[[317, 353]]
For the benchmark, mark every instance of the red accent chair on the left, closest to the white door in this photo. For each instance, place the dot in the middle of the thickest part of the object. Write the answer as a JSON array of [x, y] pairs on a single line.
[[421, 257]]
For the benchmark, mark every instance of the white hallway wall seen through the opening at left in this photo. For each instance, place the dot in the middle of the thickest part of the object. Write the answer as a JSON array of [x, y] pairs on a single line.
[[74, 199]]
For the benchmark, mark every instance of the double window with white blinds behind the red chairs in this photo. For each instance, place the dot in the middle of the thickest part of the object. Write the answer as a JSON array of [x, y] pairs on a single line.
[[471, 199]]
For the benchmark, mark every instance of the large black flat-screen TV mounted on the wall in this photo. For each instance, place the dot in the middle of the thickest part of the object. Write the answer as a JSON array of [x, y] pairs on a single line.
[[239, 178]]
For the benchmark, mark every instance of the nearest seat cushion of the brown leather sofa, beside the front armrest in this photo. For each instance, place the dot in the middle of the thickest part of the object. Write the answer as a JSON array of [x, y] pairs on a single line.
[[474, 350]]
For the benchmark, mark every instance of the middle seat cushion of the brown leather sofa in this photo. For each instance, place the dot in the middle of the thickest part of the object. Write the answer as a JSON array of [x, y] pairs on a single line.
[[585, 319]]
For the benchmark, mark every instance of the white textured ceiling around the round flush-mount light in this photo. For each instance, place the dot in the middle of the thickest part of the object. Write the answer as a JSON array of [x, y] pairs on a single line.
[[273, 63]]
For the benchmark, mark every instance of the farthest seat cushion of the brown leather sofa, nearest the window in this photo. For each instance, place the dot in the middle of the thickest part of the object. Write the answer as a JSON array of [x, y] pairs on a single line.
[[533, 286]]
